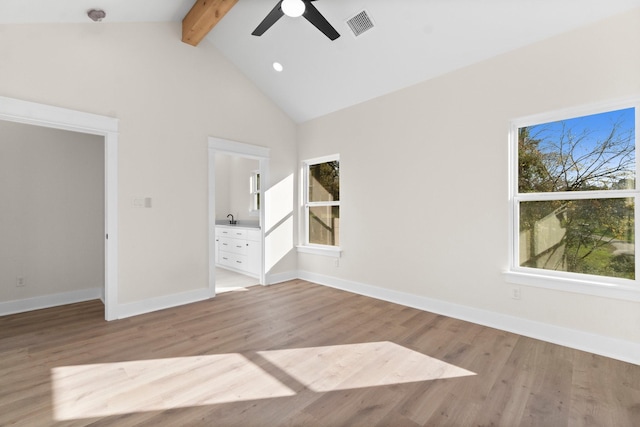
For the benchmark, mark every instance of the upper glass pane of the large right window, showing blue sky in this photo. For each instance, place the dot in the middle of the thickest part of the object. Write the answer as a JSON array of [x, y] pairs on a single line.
[[595, 152]]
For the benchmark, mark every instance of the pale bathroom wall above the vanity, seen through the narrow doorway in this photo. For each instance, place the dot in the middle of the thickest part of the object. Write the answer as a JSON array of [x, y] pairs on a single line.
[[232, 187]]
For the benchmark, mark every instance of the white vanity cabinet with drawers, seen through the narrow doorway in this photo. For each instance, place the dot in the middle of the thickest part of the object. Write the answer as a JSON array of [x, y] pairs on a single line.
[[238, 248]]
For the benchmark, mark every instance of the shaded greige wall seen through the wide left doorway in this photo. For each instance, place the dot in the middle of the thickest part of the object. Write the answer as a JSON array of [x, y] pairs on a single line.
[[52, 215]]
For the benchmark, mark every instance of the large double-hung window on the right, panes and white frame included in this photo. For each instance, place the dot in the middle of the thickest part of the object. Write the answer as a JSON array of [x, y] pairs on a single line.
[[574, 195]]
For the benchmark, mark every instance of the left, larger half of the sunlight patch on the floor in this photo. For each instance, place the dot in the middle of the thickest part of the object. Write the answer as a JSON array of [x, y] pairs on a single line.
[[99, 390]]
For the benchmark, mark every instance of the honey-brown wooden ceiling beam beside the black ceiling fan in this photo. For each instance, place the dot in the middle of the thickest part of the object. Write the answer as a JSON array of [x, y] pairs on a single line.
[[203, 16]]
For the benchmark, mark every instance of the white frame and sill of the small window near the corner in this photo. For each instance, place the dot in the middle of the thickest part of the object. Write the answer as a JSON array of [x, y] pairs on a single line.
[[306, 246]]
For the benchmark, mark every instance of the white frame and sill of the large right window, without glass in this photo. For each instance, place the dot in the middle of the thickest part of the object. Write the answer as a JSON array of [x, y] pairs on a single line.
[[611, 287]]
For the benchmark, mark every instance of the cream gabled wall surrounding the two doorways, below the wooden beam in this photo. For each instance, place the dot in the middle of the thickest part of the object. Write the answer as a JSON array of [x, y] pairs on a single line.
[[169, 97]]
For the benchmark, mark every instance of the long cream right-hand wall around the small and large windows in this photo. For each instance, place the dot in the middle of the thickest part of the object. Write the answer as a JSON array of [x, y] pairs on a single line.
[[424, 176]]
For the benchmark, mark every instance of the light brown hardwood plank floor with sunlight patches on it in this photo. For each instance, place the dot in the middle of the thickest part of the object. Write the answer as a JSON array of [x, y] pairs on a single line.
[[298, 354]]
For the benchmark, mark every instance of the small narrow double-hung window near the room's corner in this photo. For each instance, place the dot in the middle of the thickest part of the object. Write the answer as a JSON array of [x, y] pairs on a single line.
[[322, 201]]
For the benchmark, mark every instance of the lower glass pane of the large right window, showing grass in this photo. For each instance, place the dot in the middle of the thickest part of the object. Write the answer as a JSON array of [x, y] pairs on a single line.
[[594, 236]]
